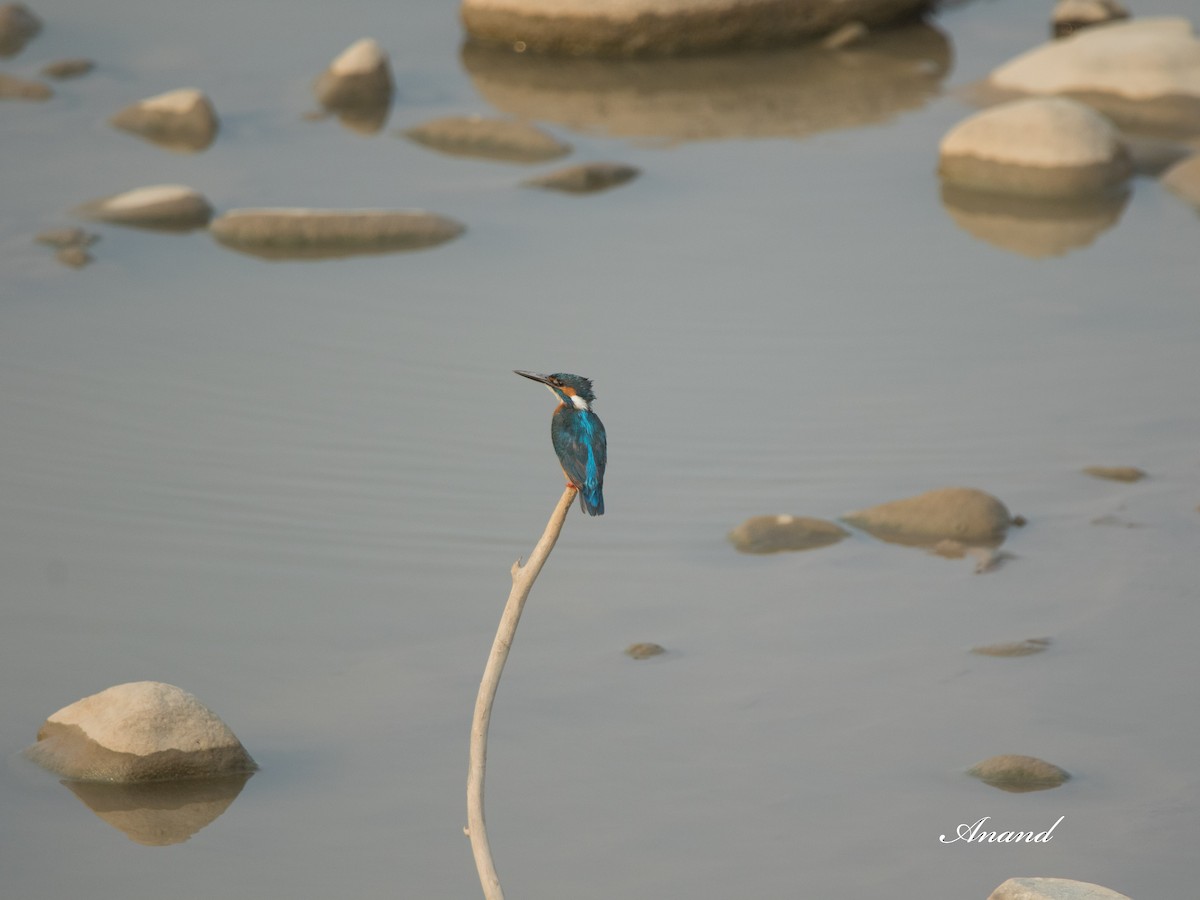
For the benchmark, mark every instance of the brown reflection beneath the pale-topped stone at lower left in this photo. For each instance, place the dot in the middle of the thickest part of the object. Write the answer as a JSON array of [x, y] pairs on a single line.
[[163, 813]]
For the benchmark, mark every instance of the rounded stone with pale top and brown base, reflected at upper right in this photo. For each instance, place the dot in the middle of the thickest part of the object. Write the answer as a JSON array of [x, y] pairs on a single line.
[[1041, 147]]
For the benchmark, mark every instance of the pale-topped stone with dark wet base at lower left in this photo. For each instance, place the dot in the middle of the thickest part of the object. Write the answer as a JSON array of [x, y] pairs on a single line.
[[143, 731]]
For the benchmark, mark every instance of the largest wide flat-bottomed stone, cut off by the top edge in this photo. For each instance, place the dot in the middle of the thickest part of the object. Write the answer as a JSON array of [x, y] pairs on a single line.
[[631, 28]]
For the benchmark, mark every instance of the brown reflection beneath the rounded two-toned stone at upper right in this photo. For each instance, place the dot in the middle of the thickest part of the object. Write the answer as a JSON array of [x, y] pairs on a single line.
[[1034, 227]]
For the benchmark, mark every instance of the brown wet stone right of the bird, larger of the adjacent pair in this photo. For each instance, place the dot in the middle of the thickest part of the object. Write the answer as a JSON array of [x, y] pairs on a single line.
[[961, 514]]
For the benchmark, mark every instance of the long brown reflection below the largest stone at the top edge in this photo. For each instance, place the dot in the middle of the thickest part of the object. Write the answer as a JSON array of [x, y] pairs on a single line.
[[779, 94]]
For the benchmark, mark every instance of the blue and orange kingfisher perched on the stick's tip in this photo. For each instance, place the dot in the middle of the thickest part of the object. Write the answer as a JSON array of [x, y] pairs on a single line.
[[578, 436]]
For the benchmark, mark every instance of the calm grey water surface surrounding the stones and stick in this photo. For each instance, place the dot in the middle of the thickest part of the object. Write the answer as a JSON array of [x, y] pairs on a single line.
[[296, 489]]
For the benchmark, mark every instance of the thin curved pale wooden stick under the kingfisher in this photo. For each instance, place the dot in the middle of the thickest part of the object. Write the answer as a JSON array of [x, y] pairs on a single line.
[[523, 581]]
